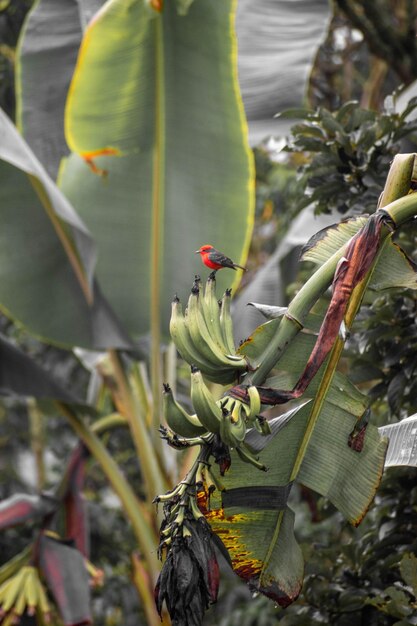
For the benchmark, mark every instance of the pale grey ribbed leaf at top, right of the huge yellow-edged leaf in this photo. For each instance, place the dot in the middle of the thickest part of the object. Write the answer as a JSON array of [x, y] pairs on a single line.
[[276, 52]]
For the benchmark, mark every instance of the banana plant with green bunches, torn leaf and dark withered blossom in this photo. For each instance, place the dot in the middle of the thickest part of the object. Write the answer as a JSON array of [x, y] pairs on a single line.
[[240, 484]]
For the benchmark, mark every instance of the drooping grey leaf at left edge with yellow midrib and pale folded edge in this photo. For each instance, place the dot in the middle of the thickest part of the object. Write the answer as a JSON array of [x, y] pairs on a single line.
[[47, 255]]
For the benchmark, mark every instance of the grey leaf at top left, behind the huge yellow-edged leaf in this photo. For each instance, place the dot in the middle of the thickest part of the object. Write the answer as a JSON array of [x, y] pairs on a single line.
[[48, 48]]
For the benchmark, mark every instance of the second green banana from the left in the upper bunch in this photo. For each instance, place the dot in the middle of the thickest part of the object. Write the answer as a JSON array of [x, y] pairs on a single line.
[[202, 339]]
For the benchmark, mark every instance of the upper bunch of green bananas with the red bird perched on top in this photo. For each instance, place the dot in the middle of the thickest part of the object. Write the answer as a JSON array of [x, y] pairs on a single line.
[[204, 334]]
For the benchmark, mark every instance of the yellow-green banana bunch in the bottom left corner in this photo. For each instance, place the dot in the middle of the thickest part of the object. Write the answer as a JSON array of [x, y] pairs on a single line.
[[24, 592]]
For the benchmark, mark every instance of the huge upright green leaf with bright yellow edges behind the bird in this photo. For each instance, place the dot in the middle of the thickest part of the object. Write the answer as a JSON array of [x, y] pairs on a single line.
[[160, 88]]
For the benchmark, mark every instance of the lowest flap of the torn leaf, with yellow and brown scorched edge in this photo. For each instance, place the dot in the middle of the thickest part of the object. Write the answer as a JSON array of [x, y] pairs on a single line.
[[260, 540]]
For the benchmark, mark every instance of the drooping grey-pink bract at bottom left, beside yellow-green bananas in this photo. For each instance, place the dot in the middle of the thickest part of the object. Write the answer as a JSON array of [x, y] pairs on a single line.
[[66, 575]]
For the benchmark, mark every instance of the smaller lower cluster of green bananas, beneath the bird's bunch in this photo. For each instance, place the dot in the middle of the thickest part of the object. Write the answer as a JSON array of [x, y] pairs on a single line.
[[227, 417]]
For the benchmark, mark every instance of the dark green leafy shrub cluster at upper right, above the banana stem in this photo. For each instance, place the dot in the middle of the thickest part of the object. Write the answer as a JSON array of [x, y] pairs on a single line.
[[347, 155]]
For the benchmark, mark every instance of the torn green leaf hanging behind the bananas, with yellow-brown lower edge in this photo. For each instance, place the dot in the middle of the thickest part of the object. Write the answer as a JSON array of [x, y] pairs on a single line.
[[310, 446]]
